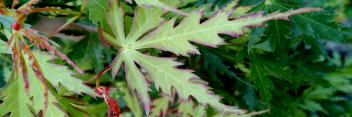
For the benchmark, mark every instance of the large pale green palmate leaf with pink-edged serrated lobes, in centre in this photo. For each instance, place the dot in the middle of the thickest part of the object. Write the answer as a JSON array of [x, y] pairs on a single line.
[[163, 71]]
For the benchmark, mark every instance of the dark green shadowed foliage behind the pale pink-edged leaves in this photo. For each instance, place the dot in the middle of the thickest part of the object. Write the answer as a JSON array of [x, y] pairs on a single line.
[[301, 67]]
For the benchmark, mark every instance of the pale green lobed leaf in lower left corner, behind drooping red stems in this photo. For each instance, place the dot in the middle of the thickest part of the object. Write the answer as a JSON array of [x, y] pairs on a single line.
[[56, 75]]
